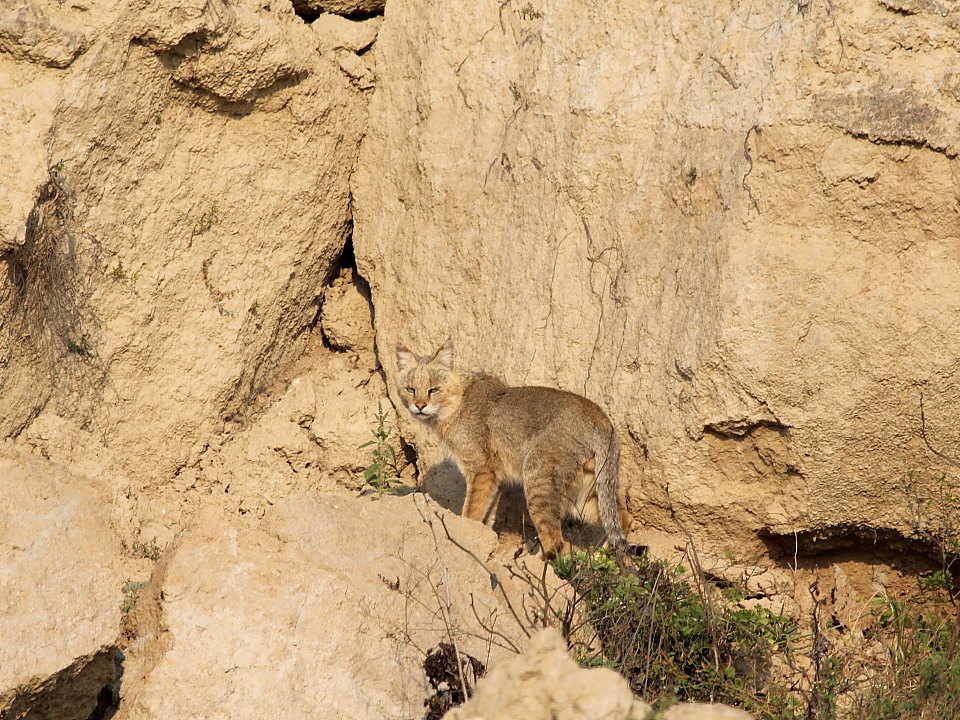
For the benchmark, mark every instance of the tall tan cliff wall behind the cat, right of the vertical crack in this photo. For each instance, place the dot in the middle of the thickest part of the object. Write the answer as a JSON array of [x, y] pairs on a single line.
[[733, 227]]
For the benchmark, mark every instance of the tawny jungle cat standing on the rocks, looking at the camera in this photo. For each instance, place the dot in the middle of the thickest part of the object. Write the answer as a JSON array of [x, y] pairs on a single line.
[[559, 446]]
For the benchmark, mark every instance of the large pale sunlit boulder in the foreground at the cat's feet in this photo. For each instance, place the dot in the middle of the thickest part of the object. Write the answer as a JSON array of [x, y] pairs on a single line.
[[314, 611]]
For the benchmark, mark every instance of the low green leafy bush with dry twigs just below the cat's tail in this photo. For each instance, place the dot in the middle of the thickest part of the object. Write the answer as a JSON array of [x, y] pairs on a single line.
[[675, 639]]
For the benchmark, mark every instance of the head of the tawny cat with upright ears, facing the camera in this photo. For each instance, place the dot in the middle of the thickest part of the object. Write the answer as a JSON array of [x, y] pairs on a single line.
[[428, 384]]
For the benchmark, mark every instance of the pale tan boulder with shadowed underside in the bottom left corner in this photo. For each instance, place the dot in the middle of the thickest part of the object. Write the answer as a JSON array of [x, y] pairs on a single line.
[[61, 591]]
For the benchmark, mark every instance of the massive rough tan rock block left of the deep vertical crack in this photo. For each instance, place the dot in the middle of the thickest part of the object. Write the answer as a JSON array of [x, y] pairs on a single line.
[[179, 199]]
